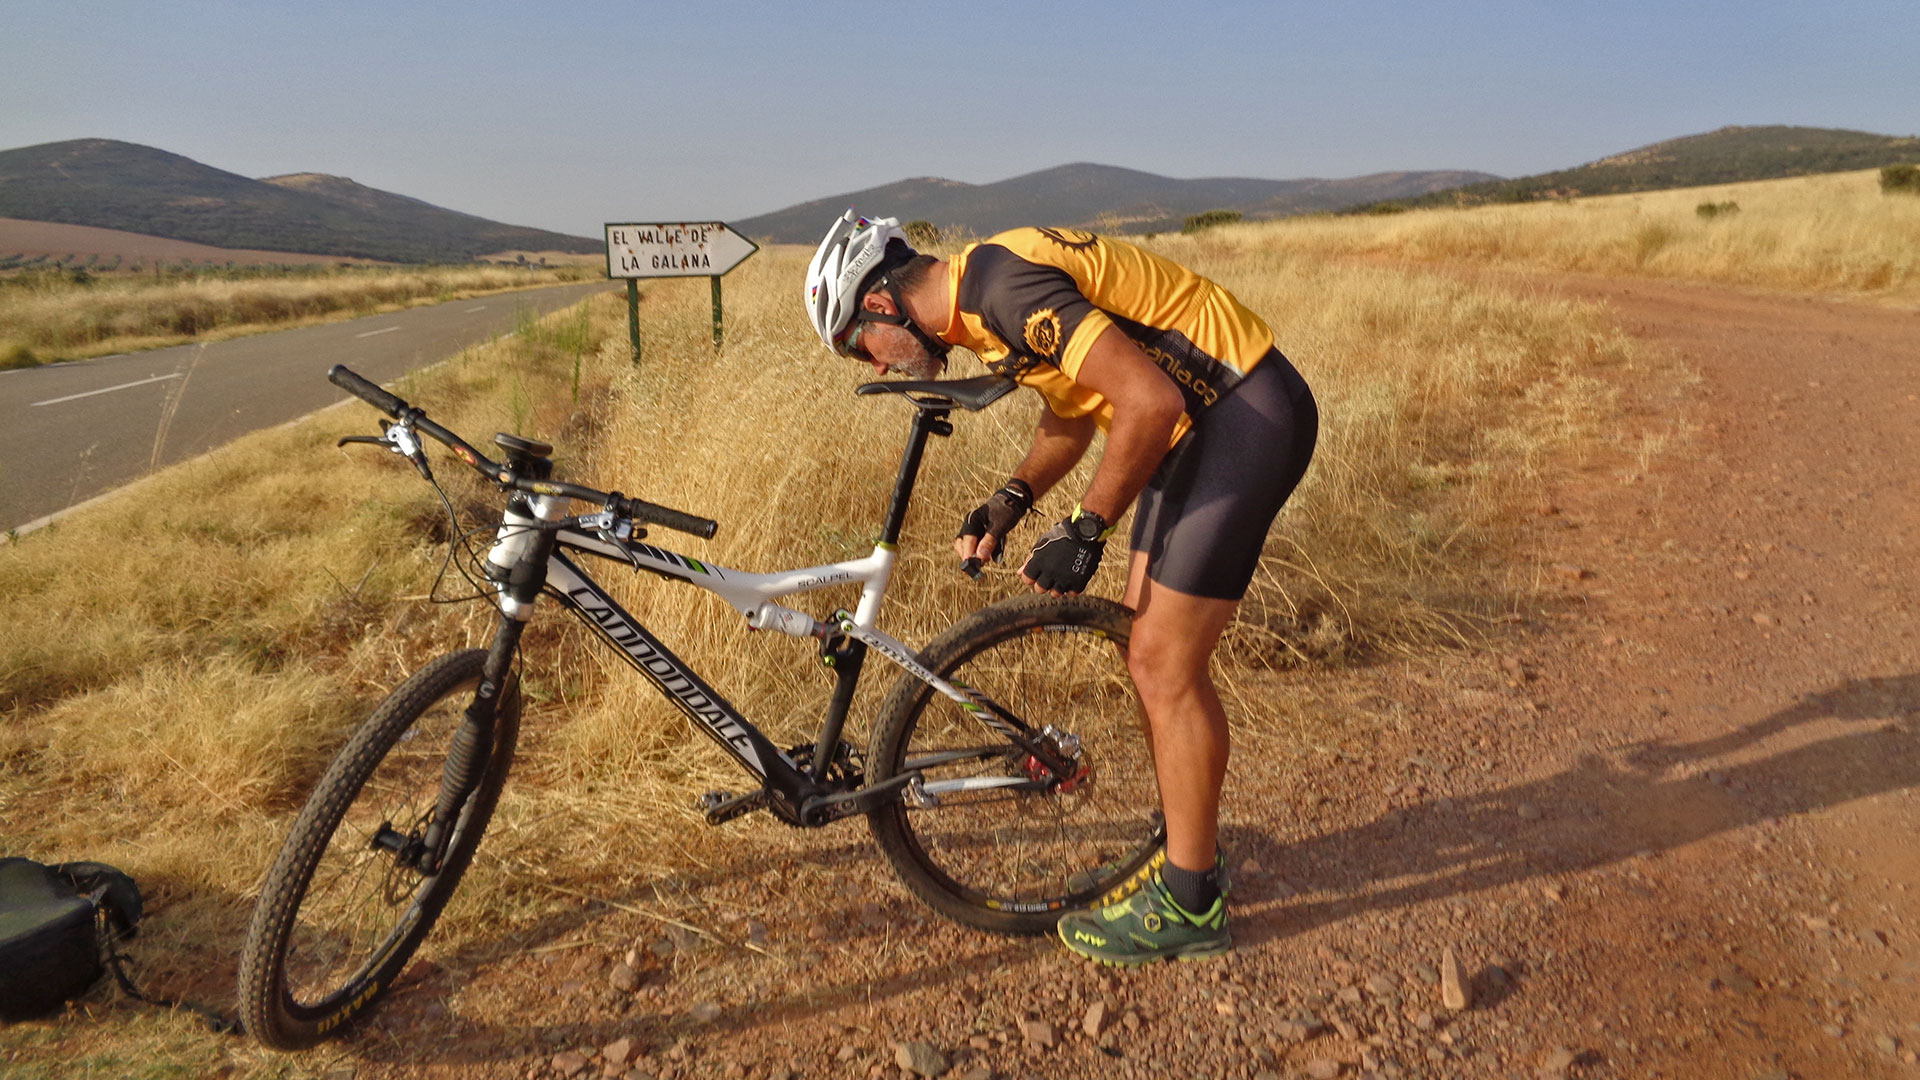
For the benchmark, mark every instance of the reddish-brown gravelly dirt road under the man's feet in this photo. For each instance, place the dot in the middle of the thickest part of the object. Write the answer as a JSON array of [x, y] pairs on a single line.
[[1668, 825]]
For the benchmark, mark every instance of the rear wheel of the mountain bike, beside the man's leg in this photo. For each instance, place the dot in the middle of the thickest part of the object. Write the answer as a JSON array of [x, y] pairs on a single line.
[[988, 839]]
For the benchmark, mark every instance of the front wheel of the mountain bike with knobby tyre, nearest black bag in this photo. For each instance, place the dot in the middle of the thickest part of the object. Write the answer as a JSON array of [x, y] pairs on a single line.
[[391, 764]]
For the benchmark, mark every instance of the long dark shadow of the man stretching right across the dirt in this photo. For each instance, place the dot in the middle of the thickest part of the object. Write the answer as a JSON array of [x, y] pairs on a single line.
[[1652, 798]]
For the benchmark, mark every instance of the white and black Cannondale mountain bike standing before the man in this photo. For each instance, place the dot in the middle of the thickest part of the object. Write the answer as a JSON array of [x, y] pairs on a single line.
[[1005, 775]]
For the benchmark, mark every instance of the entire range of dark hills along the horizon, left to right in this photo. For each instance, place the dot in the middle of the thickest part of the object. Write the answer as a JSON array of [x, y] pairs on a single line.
[[139, 189]]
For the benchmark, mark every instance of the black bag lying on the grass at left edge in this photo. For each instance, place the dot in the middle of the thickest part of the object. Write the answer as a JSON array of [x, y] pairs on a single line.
[[55, 927]]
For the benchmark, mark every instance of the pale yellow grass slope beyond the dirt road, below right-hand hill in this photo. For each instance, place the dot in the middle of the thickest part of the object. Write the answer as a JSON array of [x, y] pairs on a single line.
[[1831, 233]]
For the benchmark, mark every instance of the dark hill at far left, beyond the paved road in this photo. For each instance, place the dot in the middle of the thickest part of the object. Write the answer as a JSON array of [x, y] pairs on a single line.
[[139, 189]]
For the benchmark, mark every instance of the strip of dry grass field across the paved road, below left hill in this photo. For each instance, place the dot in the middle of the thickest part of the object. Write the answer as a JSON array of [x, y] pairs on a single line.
[[55, 316]]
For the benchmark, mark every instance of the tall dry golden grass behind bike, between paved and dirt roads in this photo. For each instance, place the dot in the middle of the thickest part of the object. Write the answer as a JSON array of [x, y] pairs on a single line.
[[183, 660]]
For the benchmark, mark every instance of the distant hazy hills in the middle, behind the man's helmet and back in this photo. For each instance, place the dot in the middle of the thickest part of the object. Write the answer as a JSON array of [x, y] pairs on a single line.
[[1101, 197]]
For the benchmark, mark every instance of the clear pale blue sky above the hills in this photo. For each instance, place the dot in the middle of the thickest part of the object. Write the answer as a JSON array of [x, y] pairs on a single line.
[[567, 116]]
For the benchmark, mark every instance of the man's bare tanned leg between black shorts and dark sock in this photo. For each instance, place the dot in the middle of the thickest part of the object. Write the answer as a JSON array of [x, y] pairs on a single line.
[[1174, 637]]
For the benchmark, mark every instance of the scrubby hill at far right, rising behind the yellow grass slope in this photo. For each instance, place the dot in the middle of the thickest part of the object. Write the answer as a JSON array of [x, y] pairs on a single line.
[[1725, 157]]
